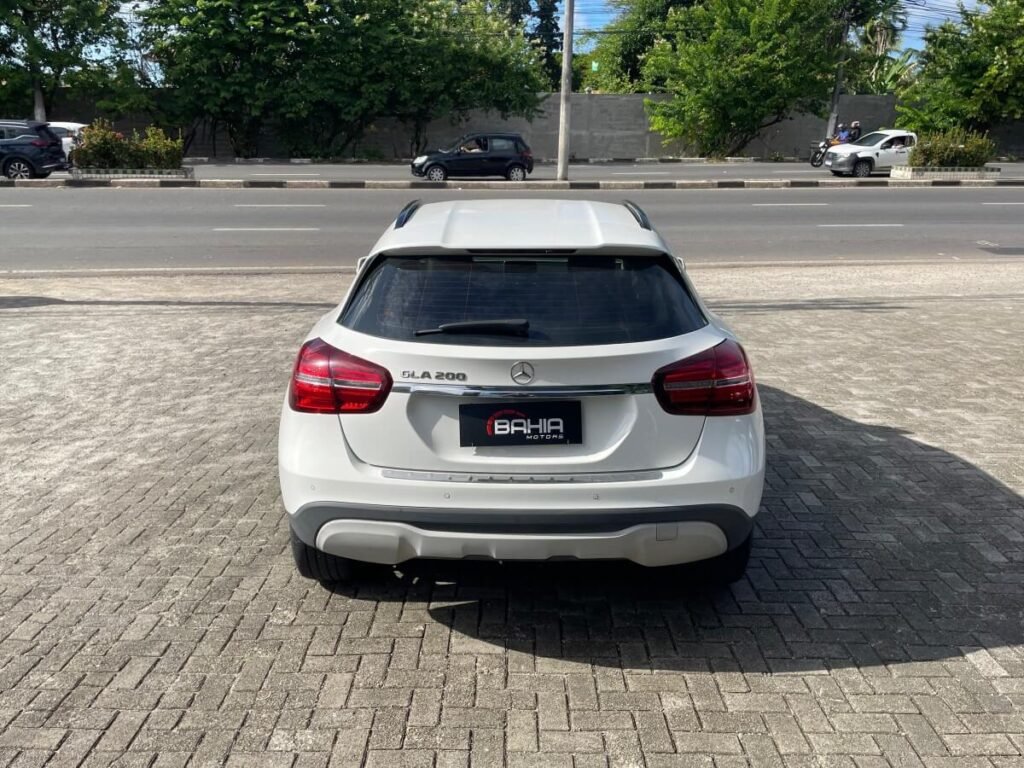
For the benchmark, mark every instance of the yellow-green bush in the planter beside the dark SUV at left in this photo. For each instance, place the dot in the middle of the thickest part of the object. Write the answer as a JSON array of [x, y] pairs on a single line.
[[102, 147]]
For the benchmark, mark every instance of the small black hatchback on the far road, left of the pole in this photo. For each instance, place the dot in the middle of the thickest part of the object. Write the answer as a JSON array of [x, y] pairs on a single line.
[[479, 155]]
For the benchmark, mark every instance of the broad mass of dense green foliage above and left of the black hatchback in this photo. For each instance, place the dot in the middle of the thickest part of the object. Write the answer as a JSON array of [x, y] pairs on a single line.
[[323, 71]]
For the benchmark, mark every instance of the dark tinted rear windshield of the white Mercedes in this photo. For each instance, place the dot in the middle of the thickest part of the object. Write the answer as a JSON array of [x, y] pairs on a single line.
[[568, 301]]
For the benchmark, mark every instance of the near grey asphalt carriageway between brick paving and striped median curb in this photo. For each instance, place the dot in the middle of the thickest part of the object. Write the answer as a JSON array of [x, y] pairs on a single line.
[[82, 229]]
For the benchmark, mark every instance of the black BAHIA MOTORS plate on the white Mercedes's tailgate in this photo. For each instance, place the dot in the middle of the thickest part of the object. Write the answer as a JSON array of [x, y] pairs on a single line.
[[521, 424]]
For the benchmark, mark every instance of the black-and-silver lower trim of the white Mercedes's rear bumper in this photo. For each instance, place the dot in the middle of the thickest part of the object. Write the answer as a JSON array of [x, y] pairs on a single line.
[[648, 537]]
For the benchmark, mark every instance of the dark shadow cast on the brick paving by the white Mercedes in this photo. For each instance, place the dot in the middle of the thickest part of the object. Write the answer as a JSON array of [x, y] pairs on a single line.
[[871, 549]]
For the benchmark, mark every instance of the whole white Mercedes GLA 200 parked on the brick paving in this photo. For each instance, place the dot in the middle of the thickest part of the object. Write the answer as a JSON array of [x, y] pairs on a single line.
[[522, 380]]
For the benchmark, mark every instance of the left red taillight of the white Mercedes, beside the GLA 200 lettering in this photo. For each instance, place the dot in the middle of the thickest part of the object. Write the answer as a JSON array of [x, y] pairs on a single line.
[[330, 381]]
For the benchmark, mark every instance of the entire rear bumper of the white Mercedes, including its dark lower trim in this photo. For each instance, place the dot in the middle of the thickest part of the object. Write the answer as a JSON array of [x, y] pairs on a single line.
[[699, 509]]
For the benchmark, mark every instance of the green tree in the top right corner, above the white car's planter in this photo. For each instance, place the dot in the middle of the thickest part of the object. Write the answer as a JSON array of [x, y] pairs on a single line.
[[971, 73]]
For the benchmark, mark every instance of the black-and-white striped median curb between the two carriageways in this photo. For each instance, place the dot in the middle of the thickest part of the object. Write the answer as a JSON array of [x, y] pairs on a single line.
[[753, 184]]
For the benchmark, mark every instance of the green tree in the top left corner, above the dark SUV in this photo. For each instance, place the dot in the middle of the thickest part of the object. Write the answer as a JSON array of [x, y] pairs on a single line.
[[50, 40]]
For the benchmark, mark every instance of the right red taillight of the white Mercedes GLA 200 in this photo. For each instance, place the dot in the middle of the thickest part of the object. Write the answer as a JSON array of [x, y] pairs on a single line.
[[716, 382]]
